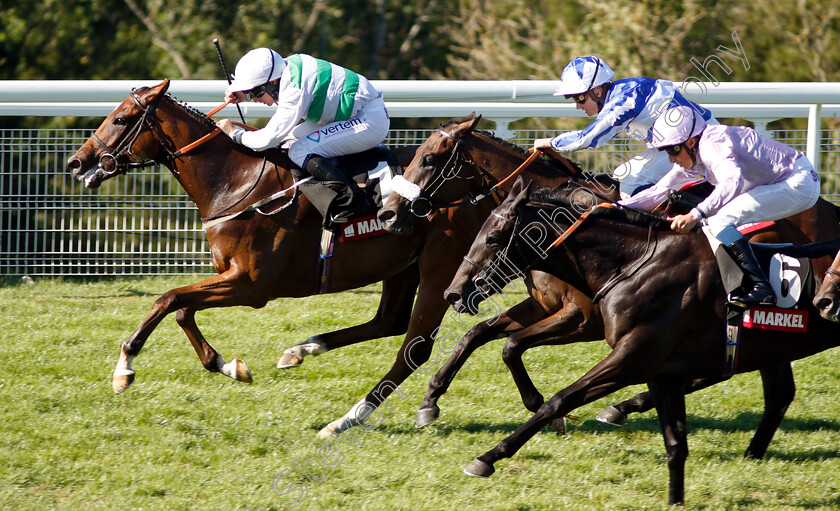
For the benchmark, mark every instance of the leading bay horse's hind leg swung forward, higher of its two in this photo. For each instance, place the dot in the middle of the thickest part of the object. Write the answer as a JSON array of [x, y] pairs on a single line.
[[392, 318]]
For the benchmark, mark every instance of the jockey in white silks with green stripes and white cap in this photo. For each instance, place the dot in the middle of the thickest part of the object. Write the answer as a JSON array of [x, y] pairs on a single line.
[[323, 110]]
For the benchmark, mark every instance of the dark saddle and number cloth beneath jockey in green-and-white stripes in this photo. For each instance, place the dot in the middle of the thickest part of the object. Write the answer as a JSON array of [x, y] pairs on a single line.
[[371, 170]]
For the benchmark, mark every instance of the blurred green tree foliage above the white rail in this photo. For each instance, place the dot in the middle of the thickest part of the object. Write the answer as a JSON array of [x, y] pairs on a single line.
[[785, 40]]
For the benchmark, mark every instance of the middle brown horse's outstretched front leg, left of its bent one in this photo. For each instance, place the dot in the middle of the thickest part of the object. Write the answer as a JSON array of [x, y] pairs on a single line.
[[511, 320]]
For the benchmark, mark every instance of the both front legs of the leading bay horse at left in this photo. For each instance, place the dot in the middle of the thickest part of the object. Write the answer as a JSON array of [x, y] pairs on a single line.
[[224, 290]]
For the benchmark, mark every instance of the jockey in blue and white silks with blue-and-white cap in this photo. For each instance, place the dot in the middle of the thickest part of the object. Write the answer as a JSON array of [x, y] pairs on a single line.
[[630, 105]]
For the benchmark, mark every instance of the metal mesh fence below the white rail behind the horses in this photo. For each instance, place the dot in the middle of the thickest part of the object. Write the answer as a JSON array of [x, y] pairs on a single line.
[[143, 223]]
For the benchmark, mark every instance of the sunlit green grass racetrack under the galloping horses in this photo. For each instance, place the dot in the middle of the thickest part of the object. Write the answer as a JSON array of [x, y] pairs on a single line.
[[184, 438]]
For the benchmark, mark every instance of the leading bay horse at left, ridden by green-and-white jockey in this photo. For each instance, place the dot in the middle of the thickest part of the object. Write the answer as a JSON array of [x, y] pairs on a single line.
[[260, 257]]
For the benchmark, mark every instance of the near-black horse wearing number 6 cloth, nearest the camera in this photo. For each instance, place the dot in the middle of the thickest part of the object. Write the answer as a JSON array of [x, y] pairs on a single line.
[[662, 303]]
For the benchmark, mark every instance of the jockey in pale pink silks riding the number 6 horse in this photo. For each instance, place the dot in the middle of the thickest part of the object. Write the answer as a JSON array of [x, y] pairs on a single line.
[[756, 179]]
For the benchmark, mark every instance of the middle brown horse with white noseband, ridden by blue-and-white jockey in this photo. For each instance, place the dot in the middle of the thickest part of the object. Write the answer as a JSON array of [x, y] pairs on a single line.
[[557, 312]]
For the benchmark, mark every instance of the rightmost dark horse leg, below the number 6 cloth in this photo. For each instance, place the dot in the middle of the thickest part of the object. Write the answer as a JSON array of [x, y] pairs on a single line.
[[779, 390]]
